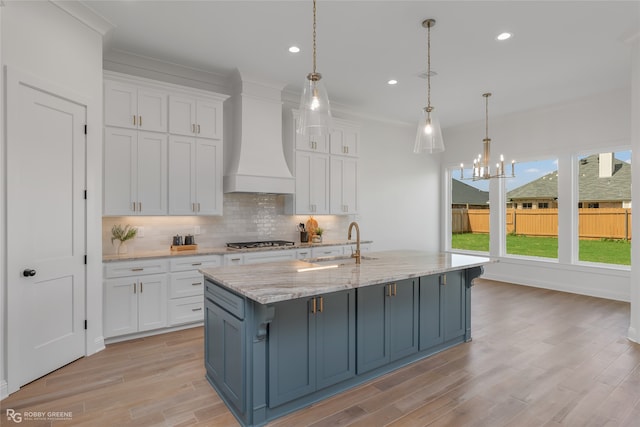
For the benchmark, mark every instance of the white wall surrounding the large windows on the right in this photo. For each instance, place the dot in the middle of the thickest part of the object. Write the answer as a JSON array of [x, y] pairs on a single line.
[[557, 131]]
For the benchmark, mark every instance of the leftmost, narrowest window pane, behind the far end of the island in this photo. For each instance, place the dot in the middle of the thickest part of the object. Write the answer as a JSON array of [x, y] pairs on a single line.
[[469, 213]]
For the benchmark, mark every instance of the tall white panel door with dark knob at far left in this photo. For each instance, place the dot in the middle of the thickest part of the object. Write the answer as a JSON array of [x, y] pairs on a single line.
[[46, 228]]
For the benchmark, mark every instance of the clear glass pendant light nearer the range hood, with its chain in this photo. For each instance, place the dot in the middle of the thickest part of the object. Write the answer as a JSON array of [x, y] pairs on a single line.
[[315, 114]]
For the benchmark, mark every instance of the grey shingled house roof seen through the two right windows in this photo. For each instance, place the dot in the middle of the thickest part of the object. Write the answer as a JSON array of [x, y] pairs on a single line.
[[592, 188]]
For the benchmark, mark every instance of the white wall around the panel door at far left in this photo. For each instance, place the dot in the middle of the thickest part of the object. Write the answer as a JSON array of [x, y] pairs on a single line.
[[41, 39]]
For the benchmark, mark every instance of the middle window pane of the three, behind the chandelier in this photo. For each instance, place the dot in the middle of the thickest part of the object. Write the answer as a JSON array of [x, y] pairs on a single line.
[[532, 209]]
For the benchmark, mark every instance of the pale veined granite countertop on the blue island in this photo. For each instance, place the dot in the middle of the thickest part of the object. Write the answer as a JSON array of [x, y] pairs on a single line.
[[286, 280]]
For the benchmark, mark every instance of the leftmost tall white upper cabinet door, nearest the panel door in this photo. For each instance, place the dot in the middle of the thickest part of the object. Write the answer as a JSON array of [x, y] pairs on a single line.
[[120, 172]]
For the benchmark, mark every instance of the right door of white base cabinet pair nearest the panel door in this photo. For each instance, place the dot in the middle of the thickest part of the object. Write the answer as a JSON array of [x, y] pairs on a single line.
[[152, 302]]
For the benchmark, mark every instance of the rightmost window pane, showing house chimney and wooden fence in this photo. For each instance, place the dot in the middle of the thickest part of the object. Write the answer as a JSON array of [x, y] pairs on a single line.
[[604, 208]]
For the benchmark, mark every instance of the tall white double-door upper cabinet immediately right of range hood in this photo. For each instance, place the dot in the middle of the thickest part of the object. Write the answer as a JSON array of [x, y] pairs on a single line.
[[312, 183]]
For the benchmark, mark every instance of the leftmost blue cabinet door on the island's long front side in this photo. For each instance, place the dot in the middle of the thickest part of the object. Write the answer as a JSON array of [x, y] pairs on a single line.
[[292, 352]]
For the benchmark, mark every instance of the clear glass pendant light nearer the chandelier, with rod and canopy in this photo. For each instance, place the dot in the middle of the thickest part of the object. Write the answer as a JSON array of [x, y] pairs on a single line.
[[429, 135]]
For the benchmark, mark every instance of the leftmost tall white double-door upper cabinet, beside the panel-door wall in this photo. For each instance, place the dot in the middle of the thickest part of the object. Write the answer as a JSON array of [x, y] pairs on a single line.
[[135, 172]]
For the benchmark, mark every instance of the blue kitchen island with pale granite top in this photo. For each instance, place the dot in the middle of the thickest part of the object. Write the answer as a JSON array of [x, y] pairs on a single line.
[[282, 335]]
